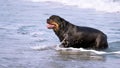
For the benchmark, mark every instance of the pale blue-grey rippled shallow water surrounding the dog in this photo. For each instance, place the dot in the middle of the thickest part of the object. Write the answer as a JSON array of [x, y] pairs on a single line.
[[25, 42]]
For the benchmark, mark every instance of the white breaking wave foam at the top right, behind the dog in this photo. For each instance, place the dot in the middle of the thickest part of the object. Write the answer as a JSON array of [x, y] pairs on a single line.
[[99, 5]]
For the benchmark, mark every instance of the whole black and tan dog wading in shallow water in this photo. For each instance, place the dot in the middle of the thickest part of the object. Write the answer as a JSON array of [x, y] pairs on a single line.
[[76, 36]]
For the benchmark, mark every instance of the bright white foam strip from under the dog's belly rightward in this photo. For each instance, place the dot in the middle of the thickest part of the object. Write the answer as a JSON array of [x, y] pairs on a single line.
[[81, 50]]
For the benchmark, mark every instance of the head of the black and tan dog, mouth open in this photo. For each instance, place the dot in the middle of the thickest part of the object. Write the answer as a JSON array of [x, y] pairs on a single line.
[[55, 22]]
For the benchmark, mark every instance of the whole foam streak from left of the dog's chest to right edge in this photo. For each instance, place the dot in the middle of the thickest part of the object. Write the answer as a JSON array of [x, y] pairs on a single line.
[[74, 50]]
